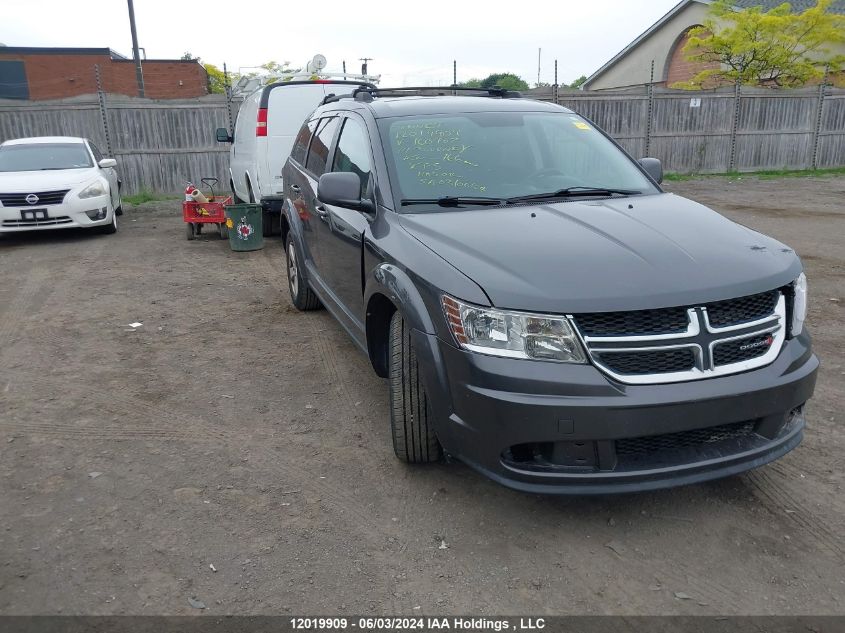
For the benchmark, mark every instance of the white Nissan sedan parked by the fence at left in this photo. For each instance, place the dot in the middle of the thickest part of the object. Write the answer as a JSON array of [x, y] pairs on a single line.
[[57, 182]]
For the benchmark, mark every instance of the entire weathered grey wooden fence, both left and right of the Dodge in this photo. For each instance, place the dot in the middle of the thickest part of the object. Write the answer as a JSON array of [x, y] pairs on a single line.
[[161, 144]]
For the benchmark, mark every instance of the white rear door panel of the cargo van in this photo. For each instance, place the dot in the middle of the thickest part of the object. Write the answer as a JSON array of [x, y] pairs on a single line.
[[287, 109]]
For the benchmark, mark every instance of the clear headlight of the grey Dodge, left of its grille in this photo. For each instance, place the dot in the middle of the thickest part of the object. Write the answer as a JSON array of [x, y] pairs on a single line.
[[513, 334]]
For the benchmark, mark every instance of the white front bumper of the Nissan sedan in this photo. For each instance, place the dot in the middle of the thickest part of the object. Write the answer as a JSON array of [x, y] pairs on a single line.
[[72, 213]]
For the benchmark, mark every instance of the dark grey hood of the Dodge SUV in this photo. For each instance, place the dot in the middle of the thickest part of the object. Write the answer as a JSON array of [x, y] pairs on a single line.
[[605, 255]]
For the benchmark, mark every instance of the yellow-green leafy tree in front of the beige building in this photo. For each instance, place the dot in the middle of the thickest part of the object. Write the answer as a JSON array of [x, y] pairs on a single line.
[[765, 48]]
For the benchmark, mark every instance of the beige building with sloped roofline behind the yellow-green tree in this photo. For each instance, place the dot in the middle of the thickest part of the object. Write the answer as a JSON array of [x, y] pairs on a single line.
[[657, 55]]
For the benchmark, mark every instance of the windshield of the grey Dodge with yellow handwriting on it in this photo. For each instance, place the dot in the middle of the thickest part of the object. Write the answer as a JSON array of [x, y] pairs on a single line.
[[503, 155]]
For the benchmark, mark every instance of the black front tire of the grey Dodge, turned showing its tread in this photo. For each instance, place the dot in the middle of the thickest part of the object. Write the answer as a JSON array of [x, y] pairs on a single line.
[[414, 440]]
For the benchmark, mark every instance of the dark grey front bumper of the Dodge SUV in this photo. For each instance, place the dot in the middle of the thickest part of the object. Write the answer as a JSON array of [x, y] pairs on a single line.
[[569, 429]]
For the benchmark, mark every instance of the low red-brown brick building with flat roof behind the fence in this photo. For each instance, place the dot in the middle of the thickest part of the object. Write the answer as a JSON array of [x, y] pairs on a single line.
[[56, 73]]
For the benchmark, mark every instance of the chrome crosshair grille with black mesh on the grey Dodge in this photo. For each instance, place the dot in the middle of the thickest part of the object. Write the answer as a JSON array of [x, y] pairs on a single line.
[[715, 339]]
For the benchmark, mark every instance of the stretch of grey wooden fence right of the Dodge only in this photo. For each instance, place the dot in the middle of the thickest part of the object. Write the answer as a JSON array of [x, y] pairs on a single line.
[[734, 129]]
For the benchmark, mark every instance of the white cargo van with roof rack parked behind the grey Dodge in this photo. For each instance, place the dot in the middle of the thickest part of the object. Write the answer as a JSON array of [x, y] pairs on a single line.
[[267, 123]]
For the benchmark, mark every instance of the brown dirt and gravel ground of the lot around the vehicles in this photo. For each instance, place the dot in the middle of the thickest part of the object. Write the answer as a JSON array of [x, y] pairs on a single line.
[[234, 454]]
